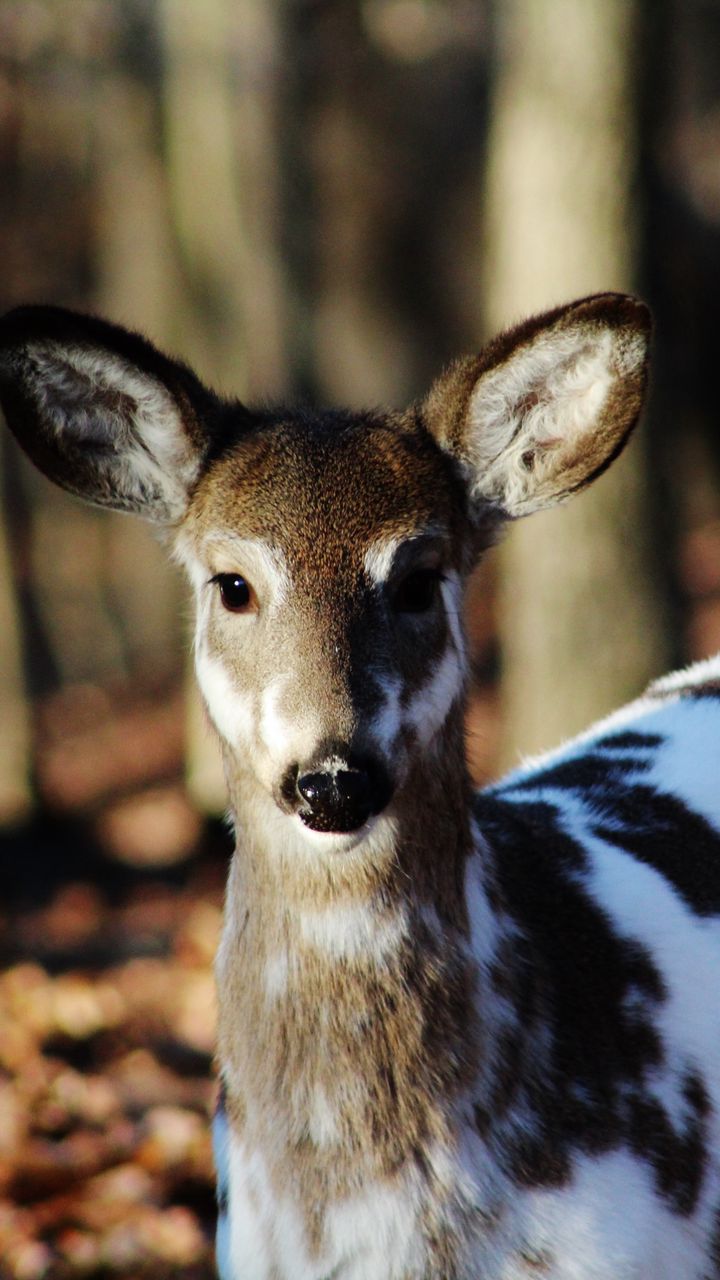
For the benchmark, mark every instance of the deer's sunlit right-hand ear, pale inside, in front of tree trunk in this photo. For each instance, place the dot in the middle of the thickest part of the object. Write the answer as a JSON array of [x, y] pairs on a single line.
[[545, 408]]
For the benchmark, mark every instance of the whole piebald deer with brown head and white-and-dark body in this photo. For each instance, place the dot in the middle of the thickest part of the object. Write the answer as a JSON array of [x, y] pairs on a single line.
[[463, 1035]]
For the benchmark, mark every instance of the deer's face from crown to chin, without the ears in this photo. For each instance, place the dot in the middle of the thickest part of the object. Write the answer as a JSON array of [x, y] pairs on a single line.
[[327, 559]]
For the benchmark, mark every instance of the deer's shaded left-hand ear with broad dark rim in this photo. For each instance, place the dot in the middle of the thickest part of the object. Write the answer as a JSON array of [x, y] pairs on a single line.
[[102, 413]]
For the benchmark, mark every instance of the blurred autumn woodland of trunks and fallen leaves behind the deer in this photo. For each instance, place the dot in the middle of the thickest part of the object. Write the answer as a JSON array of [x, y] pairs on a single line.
[[317, 200]]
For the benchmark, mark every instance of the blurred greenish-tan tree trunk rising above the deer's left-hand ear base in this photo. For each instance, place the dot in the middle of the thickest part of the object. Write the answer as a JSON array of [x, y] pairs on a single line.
[[220, 97]]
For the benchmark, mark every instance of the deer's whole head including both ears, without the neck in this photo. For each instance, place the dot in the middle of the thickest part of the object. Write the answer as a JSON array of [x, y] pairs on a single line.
[[327, 554]]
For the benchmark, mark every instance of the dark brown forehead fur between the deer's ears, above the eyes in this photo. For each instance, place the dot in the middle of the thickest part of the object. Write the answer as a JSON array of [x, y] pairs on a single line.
[[330, 482]]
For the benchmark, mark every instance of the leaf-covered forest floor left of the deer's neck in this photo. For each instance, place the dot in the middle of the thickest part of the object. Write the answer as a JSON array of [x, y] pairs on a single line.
[[107, 1034]]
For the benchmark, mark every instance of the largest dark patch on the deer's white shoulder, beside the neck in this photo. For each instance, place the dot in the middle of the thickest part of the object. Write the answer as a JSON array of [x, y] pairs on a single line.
[[599, 993]]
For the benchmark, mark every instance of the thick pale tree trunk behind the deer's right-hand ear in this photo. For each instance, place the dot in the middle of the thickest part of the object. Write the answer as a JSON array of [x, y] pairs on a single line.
[[584, 620]]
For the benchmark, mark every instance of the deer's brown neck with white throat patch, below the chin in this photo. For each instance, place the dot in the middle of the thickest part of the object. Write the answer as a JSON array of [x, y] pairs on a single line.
[[347, 985]]
